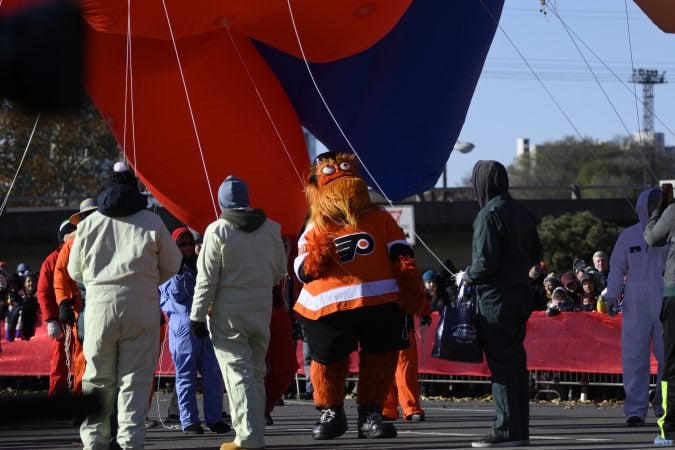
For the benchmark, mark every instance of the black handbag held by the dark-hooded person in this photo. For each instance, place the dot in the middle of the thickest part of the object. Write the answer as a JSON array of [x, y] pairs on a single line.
[[457, 334]]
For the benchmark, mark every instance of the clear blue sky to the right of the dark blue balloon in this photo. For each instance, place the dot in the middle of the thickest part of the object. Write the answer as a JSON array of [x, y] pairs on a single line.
[[509, 102]]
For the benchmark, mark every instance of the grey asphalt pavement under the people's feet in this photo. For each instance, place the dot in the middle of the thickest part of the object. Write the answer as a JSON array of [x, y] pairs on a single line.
[[448, 425]]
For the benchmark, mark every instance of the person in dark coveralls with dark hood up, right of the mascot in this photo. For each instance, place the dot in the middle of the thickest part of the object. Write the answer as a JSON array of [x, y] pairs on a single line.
[[505, 246]]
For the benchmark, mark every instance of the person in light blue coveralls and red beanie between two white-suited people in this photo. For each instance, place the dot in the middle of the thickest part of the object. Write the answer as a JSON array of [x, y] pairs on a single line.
[[189, 353]]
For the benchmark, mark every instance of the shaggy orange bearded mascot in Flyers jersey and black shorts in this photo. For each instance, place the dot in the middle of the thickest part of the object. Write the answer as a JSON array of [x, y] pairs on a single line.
[[360, 281]]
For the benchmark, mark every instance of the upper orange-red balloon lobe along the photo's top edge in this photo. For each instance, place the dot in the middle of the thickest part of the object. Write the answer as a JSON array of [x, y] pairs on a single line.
[[328, 30]]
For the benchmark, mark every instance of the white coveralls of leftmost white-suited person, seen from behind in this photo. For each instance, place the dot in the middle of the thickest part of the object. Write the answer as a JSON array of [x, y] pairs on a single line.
[[121, 262]]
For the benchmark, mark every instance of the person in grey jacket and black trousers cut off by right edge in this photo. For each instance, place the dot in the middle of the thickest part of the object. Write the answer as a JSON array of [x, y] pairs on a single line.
[[660, 233]]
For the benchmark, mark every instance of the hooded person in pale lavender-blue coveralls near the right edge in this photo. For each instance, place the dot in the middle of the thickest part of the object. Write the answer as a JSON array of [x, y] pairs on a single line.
[[642, 266]]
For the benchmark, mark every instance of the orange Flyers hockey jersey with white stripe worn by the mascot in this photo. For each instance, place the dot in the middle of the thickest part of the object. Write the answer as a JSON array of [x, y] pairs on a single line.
[[363, 275]]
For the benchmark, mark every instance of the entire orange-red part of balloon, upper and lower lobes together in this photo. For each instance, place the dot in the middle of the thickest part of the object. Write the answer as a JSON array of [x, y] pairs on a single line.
[[244, 121]]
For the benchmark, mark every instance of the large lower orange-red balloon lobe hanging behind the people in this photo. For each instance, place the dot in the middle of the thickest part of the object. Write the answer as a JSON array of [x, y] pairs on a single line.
[[248, 131]]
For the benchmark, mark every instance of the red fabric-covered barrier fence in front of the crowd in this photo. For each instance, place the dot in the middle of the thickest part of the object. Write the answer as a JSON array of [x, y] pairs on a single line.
[[568, 342]]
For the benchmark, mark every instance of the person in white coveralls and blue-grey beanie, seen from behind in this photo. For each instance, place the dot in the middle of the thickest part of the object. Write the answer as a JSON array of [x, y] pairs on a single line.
[[242, 258]]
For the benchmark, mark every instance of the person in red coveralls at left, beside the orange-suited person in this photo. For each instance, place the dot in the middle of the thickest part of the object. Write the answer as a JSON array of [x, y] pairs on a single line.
[[58, 371]]
